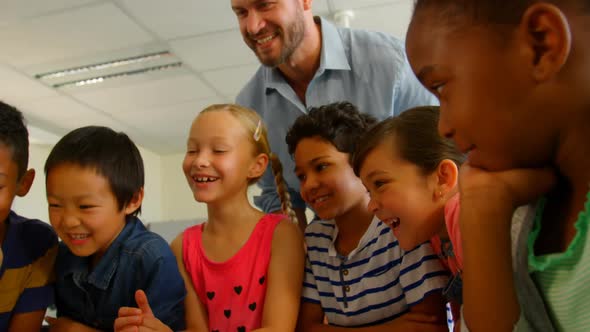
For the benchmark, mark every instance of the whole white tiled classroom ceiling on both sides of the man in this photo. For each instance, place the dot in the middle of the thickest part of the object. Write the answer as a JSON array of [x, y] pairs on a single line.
[[206, 61]]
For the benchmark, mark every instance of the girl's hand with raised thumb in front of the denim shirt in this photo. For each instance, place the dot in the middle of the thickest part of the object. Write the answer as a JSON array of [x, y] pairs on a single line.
[[139, 319]]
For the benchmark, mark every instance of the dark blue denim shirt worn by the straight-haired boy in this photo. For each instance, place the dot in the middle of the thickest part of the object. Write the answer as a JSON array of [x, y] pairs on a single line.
[[137, 259]]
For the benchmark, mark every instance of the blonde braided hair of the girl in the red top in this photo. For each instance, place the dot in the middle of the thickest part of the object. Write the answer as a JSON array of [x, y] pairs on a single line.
[[257, 136]]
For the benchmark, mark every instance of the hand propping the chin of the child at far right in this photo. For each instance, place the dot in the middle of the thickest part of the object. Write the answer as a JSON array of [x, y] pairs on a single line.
[[504, 190]]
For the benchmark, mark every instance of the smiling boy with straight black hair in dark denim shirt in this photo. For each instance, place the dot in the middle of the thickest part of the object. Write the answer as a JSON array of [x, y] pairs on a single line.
[[95, 180]]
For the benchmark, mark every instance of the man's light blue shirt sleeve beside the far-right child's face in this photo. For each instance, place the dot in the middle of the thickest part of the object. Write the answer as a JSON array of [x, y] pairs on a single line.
[[409, 92]]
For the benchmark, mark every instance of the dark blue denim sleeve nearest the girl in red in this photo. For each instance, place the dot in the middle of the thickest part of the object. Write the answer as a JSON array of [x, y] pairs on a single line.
[[164, 287]]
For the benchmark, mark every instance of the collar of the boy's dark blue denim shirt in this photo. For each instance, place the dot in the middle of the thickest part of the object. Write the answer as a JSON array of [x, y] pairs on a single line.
[[103, 272]]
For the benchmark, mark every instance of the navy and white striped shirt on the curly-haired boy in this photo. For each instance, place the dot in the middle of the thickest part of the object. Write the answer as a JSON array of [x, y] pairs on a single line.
[[376, 283]]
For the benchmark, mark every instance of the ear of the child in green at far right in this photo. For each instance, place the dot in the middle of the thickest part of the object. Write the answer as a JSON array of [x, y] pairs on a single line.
[[548, 38]]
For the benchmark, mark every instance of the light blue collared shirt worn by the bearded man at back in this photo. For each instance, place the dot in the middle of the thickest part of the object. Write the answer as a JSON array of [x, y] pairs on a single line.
[[368, 69]]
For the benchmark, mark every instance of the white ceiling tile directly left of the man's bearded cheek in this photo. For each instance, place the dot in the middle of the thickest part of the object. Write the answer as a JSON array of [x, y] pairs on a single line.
[[214, 51]]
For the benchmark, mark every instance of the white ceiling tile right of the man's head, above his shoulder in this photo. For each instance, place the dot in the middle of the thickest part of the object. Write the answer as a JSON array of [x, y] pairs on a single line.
[[392, 19]]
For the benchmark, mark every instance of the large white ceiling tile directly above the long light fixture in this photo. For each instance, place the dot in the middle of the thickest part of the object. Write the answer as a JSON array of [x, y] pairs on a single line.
[[69, 34]]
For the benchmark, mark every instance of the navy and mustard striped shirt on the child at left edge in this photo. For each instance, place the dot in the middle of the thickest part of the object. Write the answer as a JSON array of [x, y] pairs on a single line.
[[26, 273]]
